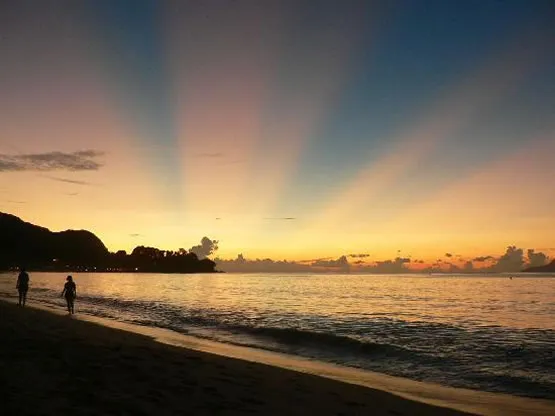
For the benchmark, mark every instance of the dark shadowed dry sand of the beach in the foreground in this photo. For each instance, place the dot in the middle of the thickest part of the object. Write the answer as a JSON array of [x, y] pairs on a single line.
[[52, 364]]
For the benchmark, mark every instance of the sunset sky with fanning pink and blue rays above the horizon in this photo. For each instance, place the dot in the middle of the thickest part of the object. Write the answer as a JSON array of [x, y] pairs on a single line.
[[287, 130]]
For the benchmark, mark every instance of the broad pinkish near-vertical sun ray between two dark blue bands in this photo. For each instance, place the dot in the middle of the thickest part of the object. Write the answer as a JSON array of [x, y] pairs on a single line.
[[241, 135]]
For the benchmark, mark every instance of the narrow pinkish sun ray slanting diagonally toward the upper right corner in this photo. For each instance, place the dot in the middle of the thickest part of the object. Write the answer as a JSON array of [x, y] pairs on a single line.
[[453, 111]]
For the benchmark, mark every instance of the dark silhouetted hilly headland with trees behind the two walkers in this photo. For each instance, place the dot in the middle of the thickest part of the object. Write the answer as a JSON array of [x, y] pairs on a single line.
[[39, 249]]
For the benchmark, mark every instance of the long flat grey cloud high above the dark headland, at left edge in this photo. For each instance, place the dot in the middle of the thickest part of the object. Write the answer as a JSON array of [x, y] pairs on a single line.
[[84, 160]]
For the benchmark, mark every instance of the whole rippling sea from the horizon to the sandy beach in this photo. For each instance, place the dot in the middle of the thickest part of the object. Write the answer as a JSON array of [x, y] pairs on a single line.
[[489, 333]]
